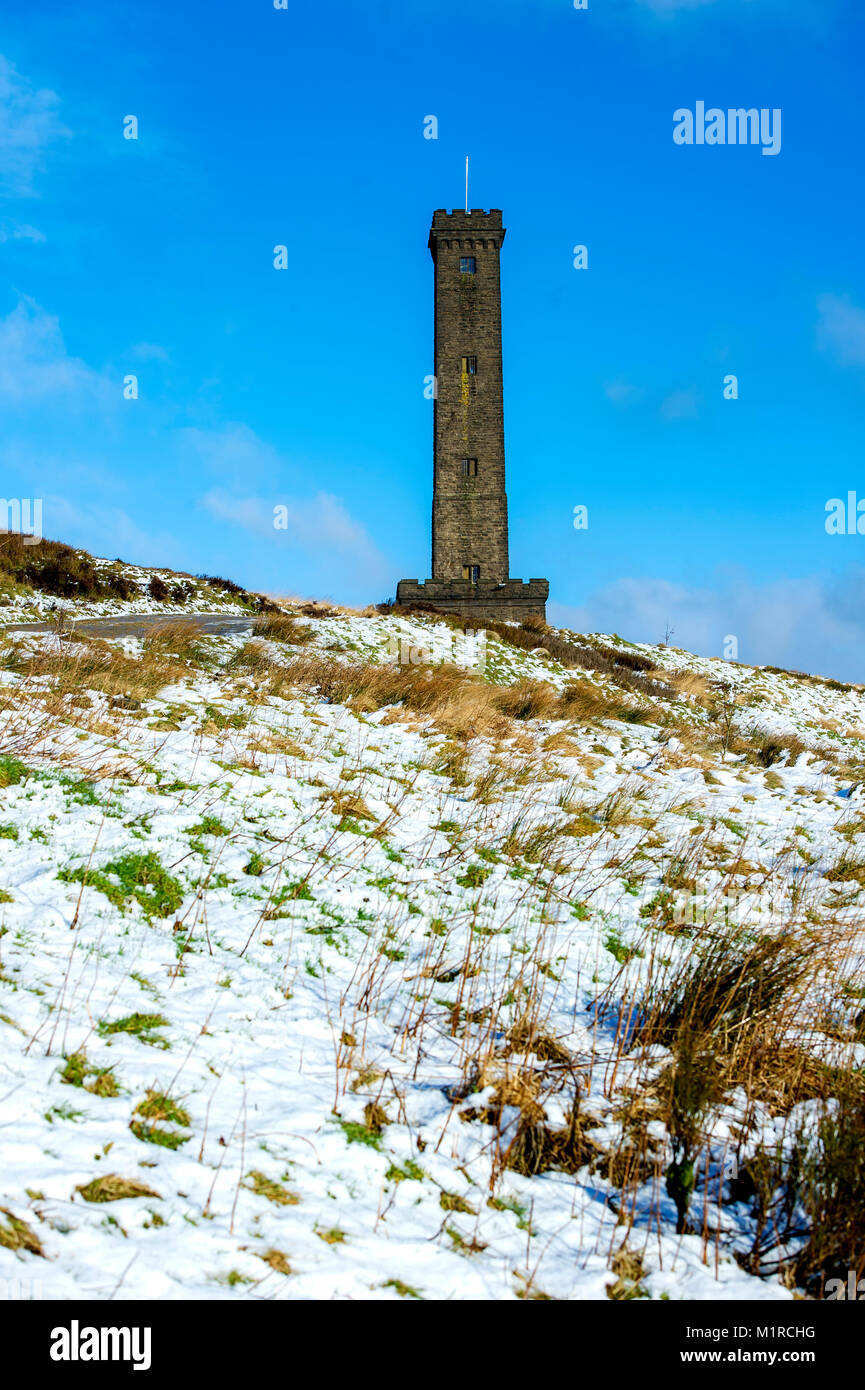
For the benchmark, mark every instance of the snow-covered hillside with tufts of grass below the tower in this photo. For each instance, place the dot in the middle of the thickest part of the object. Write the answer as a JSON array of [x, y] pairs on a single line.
[[268, 957]]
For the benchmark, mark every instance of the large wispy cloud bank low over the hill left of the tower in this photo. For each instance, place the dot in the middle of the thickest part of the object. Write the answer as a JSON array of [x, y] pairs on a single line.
[[66, 423]]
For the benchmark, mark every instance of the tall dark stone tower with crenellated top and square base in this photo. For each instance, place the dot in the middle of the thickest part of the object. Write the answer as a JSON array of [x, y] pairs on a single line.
[[469, 502]]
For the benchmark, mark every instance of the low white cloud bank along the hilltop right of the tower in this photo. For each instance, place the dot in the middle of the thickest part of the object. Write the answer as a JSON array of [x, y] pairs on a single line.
[[816, 623]]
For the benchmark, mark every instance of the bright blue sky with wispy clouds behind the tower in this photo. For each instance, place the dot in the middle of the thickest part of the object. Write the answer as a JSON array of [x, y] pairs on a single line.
[[304, 127]]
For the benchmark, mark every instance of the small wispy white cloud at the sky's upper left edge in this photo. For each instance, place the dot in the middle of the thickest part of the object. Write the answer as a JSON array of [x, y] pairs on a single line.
[[29, 126]]
